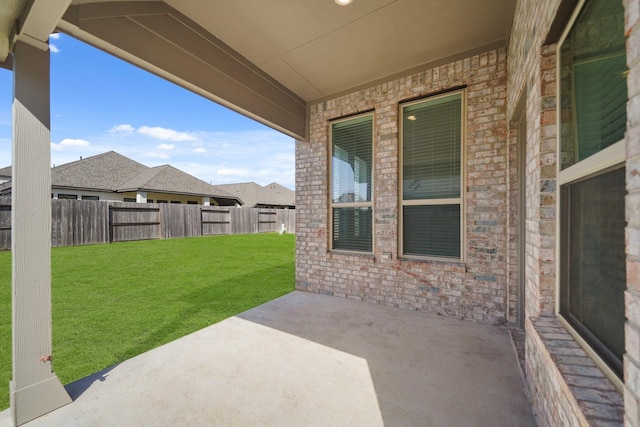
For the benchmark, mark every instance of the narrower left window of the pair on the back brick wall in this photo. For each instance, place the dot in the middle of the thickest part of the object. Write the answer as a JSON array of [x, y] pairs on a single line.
[[351, 184]]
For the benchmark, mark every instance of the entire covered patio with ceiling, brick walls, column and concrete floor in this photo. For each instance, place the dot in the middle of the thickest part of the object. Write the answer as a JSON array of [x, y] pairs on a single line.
[[495, 80]]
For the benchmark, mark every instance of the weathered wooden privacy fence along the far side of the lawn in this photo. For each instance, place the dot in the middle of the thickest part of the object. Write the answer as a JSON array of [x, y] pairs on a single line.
[[83, 222]]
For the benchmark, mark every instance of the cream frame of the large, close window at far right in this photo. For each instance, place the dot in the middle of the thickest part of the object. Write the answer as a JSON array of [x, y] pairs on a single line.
[[601, 162]]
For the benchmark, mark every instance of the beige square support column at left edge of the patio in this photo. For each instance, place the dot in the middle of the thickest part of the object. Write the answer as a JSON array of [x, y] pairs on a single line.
[[34, 389]]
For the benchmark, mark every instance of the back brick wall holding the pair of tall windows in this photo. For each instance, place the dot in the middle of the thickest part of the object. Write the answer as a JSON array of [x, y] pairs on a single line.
[[473, 289]]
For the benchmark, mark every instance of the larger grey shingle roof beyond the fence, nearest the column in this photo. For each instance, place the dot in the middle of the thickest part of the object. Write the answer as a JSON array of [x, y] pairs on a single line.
[[112, 171]]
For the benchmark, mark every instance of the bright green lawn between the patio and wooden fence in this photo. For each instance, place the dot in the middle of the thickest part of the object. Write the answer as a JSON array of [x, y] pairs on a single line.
[[113, 302]]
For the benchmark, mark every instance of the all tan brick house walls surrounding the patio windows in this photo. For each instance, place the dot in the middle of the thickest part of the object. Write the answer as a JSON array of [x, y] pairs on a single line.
[[565, 386]]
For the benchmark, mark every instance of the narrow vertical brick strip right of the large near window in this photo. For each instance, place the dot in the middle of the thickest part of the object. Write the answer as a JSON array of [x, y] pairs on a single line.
[[632, 331]]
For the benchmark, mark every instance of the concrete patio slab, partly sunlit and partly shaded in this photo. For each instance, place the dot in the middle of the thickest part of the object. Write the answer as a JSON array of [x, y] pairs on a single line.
[[311, 360]]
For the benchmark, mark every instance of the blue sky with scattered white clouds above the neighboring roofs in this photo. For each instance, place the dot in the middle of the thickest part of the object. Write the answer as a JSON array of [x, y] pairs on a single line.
[[100, 103]]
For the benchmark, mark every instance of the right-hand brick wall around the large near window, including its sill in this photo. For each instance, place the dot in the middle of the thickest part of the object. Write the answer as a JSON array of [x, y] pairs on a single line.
[[565, 386]]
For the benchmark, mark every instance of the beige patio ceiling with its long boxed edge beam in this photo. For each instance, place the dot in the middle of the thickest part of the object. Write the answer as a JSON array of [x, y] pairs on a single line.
[[269, 59]]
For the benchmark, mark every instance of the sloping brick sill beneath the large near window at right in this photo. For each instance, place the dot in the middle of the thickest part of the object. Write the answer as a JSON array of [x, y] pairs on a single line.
[[578, 375]]
